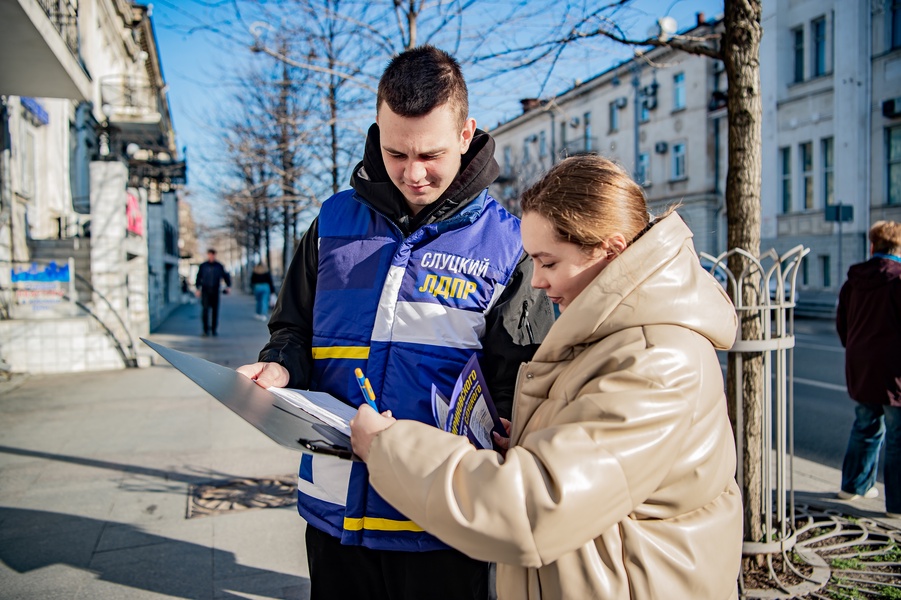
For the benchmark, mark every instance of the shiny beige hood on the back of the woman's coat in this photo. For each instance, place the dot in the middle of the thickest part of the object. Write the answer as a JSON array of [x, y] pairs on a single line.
[[658, 280]]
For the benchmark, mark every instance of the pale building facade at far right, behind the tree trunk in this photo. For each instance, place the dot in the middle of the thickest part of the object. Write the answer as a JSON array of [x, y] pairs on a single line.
[[831, 89]]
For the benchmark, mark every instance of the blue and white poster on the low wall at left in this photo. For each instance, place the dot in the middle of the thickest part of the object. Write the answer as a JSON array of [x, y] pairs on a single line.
[[43, 290]]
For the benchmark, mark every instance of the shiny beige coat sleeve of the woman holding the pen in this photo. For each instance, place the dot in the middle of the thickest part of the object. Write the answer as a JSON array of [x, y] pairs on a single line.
[[560, 487]]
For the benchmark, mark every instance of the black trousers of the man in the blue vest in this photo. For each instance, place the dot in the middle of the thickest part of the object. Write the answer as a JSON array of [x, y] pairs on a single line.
[[338, 571]]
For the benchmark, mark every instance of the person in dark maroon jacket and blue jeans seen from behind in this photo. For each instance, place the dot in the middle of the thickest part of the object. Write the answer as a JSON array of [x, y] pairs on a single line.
[[869, 325]]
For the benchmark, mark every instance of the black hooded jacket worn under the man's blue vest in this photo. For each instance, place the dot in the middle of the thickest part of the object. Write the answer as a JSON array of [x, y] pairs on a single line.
[[515, 326]]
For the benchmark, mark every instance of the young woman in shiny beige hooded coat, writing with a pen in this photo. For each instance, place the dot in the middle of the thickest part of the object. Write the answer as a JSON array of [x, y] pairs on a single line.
[[619, 478]]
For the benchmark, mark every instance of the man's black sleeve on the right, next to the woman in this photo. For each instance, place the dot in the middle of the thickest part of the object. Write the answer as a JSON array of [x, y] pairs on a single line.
[[515, 327]]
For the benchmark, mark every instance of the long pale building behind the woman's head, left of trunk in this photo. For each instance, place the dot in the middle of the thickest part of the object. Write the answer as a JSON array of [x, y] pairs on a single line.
[[661, 116]]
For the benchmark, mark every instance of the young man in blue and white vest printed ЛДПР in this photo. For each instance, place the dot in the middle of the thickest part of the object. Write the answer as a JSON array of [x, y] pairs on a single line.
[[404, 276]]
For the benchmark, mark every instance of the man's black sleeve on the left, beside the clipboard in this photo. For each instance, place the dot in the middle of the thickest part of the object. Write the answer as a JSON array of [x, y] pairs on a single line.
[[291, 324]]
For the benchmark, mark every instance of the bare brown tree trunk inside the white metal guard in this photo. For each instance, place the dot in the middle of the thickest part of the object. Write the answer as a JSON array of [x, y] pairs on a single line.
[[741, 58]]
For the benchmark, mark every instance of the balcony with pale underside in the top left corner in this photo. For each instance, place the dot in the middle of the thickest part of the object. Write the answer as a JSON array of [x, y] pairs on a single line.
[[40, 49]]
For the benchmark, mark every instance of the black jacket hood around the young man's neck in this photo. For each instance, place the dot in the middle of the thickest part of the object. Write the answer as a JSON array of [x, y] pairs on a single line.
[[370, 180]]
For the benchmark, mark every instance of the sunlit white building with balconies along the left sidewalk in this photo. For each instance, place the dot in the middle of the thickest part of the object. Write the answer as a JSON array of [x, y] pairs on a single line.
[[88, 186]]
